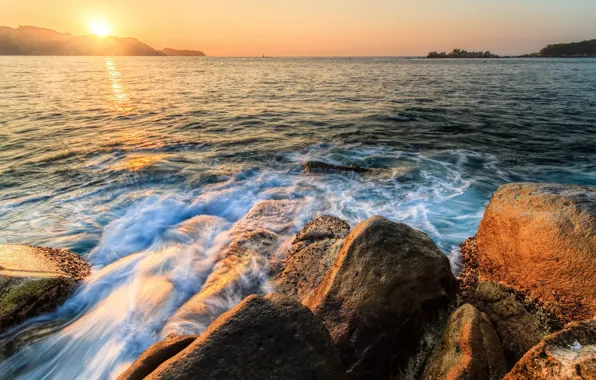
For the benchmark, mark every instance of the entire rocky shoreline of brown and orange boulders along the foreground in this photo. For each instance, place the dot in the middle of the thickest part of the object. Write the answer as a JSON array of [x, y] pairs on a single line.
[[380, 301]]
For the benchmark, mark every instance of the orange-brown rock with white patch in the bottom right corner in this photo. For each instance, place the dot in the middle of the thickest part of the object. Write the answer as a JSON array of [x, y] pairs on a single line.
[[565, 355]]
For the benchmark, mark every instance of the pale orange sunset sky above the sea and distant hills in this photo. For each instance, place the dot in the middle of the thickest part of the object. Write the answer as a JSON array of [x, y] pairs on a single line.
[[320, 27]]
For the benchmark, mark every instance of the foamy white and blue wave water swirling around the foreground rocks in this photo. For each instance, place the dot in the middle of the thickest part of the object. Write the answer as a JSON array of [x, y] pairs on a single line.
[[170, 261]]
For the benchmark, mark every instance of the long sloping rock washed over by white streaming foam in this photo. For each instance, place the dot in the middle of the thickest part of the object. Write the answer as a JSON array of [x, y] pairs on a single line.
[[240, 267]]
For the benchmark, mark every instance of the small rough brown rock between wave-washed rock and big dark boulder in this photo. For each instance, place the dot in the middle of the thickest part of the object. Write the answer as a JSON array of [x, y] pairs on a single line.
[[311, 255]]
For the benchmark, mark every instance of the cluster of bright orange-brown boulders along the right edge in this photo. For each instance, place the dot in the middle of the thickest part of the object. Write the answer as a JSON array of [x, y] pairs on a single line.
[[531, 269]]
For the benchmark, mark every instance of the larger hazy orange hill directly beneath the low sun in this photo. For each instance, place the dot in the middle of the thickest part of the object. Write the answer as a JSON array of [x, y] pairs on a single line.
[[31, 40]]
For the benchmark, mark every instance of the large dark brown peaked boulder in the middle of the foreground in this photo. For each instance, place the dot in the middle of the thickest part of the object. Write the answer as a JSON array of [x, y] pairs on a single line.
[[386, 283]]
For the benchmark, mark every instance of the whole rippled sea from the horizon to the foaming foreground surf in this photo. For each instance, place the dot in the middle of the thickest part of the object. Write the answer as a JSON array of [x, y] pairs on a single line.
[[149, 167]]
